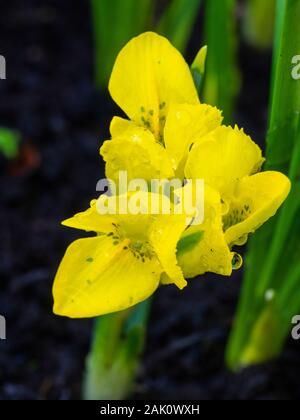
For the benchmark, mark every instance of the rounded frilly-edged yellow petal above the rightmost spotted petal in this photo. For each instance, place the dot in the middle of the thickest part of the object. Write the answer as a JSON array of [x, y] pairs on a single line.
[[223, 157]]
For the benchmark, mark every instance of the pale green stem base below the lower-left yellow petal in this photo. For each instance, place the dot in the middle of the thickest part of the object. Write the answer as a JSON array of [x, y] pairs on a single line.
[[117, 345]]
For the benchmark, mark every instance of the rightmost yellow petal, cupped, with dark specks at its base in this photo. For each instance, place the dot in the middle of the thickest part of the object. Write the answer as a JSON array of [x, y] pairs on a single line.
[[256, 199]]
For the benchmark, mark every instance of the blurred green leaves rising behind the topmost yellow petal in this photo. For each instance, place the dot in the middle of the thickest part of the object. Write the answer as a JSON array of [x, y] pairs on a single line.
[[115, 22]]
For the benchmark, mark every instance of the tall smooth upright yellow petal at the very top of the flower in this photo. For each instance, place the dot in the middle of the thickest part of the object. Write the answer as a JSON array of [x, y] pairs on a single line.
[[149, 75]]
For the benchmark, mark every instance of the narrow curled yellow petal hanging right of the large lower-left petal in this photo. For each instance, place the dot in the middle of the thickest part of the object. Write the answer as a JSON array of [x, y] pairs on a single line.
[[164, 236]]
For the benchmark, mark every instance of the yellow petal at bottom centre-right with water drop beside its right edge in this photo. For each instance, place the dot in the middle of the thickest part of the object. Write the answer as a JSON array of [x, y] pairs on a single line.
[[211, 253]]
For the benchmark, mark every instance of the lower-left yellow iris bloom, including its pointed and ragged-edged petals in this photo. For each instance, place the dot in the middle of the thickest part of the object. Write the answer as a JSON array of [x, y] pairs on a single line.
[[122, 265]]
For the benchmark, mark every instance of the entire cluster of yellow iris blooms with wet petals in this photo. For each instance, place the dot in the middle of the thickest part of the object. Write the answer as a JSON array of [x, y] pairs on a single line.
[[169, 134]]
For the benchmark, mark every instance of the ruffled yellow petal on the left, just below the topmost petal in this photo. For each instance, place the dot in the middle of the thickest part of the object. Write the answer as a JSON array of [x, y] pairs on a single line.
[[139, 154]]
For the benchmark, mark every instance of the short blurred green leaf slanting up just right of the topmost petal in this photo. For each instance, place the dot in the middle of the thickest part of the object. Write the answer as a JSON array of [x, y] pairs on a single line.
[[178, 21]]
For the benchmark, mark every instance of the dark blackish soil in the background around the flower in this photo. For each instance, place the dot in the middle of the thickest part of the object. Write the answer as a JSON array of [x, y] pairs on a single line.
[[49, 96]]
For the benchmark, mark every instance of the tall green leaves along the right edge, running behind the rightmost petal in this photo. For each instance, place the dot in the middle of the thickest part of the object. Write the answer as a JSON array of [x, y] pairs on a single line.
[[271, 293]]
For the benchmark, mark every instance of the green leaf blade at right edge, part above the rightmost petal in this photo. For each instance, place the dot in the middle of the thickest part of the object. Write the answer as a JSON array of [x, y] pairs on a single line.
[[286, 90]]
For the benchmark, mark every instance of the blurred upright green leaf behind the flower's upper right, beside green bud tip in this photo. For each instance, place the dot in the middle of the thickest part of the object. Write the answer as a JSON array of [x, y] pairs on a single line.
[[222, 80]]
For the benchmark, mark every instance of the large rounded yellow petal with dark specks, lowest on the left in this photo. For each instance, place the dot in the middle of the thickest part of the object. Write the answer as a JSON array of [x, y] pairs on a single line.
[[97, 277]]
